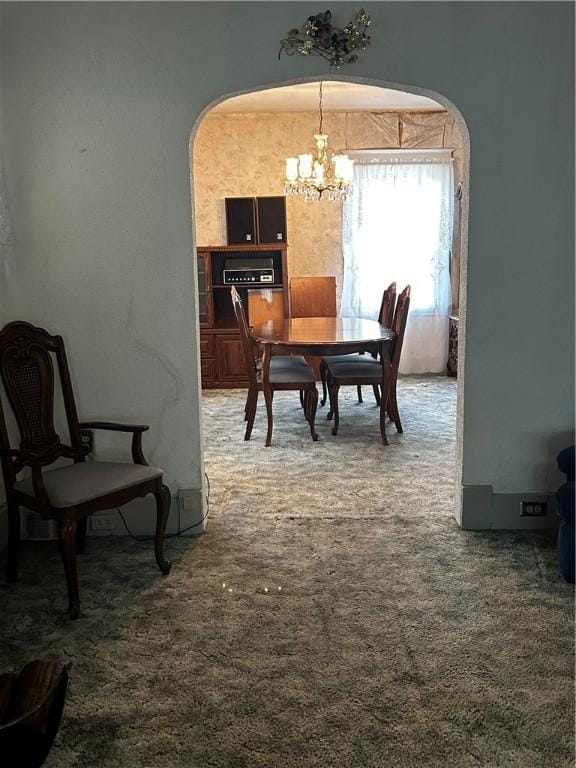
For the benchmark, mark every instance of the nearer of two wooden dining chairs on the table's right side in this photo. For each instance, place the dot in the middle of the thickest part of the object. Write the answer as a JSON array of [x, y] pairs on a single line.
[[369, 371]]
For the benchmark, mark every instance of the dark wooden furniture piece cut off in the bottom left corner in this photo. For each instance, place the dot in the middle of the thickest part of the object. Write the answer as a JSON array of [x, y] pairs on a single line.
[[31, 705]]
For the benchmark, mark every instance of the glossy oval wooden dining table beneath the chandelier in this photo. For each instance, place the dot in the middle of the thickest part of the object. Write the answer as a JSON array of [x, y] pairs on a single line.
[[322, 336]]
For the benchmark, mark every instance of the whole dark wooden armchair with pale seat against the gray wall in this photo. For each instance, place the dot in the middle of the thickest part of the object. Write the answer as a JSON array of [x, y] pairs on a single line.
[[70, 493]]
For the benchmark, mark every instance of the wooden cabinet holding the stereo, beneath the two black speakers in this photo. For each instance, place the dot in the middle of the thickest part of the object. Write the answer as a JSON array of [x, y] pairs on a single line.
[[221, 353]]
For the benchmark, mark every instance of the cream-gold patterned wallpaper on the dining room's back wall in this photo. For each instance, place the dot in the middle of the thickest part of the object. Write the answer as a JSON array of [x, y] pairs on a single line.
[[242, 155]]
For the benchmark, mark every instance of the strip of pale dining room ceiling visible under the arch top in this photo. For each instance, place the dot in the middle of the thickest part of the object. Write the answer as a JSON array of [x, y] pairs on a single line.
[[337, 97]]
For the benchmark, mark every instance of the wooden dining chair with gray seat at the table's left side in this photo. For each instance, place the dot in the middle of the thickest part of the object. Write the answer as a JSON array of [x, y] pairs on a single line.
[[286, 373]]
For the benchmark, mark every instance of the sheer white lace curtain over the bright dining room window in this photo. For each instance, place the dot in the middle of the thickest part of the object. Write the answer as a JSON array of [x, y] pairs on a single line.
[[397, 225]]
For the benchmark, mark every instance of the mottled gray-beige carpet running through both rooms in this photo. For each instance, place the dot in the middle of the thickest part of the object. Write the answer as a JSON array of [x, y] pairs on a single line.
[[395, 640]]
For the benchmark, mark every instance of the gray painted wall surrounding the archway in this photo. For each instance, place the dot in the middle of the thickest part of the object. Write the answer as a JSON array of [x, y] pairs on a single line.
[[99, 101]]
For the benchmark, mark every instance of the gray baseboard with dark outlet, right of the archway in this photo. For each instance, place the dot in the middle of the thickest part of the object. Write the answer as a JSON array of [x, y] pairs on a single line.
[[482, 509]]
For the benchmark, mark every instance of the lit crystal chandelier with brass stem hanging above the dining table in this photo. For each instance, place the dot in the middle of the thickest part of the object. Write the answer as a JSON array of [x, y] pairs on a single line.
[[314, 174]]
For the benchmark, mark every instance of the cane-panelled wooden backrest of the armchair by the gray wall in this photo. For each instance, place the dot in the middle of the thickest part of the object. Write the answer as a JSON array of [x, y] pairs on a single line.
[[27, 374]]
